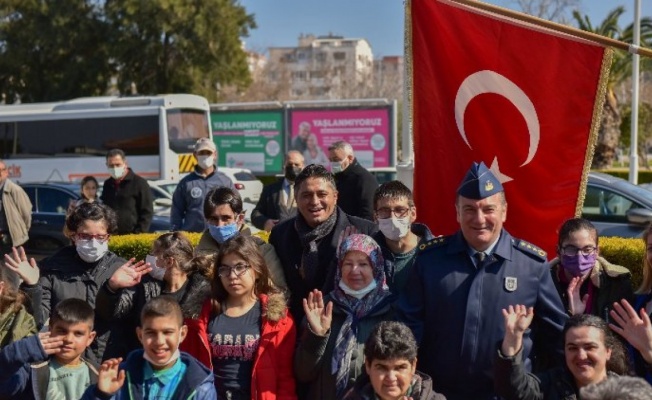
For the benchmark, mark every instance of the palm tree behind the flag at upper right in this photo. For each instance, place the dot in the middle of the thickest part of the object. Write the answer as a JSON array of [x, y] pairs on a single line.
[[621, 70]]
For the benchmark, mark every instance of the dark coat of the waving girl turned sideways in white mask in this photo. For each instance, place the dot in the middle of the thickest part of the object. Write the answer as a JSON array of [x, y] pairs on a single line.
[[124, 307]]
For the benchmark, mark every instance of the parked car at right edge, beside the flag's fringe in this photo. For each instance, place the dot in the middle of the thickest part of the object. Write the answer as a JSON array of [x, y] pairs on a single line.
[[616, 207]]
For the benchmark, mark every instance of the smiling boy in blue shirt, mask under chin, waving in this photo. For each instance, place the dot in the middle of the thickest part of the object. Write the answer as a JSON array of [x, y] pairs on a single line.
[[158, 371]]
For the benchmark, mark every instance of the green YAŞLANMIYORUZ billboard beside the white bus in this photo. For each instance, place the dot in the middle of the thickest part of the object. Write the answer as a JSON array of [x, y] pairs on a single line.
[[249, 139]]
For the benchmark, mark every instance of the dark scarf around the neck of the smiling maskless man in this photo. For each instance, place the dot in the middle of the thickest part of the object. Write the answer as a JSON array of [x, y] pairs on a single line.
[[310, 238]]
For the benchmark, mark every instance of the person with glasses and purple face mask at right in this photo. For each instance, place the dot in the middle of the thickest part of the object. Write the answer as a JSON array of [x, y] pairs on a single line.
[[586, 282]]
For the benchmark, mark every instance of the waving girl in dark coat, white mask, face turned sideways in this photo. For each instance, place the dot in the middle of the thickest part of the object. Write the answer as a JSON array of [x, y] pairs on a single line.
[[185, 278]]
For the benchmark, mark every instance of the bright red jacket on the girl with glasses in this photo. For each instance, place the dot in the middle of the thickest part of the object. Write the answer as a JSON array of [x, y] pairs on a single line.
[[272, 375]]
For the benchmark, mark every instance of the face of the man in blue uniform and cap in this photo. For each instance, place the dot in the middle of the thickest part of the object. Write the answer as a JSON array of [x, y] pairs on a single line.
[[482, 220]]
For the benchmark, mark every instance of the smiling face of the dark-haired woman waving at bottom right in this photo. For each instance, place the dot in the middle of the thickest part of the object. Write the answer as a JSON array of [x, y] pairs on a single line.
[[586, 354]]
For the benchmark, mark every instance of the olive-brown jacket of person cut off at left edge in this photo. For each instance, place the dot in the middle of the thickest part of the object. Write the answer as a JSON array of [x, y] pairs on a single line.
[[15, 322]]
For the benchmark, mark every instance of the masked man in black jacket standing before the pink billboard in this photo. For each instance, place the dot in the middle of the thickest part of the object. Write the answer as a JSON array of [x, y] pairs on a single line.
[[355, 184]]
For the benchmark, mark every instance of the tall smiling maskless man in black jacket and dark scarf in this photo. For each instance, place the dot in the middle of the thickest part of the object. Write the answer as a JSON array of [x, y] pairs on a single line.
[[307, 243]]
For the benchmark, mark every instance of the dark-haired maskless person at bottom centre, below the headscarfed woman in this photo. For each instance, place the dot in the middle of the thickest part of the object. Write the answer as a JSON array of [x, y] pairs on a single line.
[[390, 361]]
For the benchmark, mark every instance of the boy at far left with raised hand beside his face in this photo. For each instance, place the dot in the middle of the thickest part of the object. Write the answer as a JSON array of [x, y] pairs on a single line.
[[49, 365]]
